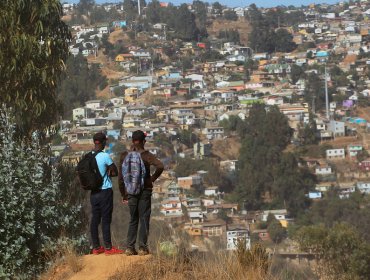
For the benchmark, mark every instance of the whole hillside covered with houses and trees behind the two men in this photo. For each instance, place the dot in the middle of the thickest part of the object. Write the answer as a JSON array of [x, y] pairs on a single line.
[[263, 126]]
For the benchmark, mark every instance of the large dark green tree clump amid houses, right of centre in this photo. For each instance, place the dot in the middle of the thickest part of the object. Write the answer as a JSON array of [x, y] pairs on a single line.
[[263, 170]]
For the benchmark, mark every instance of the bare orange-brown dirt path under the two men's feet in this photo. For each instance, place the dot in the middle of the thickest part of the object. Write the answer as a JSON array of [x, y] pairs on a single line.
[[97, 267]]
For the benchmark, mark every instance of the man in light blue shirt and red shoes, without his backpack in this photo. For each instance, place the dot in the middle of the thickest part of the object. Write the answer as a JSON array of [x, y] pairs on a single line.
[[102, 200]]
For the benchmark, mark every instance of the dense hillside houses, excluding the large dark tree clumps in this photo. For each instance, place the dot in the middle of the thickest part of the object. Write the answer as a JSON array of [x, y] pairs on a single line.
[[186, 93]]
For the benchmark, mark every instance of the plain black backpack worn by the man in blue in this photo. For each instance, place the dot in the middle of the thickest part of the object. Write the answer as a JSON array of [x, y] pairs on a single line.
[[88, 172]]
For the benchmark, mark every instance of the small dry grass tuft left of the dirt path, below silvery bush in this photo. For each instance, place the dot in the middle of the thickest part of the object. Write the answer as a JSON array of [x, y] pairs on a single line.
[[65, 264]]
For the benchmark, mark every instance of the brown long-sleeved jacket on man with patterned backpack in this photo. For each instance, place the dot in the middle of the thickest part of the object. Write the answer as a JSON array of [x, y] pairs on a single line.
[[149, 160]]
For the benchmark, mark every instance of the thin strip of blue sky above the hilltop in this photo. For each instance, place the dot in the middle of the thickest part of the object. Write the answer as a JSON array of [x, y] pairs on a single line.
[[234, 3]]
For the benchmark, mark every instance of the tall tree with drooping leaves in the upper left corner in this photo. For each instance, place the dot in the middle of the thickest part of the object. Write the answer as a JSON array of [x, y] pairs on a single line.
[[34, 47]]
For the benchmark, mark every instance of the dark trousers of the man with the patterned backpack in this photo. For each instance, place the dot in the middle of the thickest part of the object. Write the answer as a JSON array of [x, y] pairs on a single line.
[[140, 210]]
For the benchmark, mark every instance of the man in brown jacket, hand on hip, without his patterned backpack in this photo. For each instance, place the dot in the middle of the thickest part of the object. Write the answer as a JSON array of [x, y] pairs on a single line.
[[140, 205]]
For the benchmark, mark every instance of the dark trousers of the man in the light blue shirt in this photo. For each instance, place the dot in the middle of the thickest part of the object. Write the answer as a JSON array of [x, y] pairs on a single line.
[[102, 209]]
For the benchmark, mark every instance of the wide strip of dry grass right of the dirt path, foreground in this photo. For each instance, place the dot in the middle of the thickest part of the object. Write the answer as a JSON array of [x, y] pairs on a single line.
[[192, 266]]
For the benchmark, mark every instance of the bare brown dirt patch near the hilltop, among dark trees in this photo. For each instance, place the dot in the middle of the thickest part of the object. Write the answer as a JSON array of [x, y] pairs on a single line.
[[243, 27]]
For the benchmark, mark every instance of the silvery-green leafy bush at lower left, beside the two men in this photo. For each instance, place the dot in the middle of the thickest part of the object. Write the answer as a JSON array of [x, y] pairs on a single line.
[[40, 208]]
